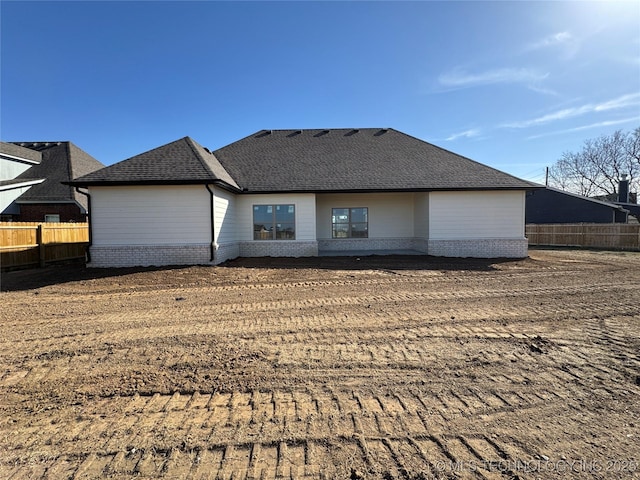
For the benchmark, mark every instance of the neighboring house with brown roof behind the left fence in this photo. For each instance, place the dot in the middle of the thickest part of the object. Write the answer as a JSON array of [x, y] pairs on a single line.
[[31, 188]]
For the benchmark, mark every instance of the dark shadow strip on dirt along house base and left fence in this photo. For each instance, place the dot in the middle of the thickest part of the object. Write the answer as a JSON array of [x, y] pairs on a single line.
[[32, 279]]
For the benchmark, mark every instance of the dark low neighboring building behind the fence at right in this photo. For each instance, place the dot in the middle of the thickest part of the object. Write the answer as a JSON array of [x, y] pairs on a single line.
[[550, 205]]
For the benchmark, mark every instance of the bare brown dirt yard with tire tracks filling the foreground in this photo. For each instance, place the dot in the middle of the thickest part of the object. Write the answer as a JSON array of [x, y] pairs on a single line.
[[329, 368]]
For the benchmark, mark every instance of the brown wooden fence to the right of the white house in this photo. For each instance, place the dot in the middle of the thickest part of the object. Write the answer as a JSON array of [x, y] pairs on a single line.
[[614, 236]]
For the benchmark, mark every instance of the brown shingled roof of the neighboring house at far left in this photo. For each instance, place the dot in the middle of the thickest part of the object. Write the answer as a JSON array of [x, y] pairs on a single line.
[[61, 162]]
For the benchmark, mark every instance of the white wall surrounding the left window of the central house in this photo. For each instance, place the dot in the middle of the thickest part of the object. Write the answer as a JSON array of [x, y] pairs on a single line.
[[305, 204]]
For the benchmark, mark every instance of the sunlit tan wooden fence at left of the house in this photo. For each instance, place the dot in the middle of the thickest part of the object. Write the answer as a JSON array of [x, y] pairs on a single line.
[[36, 244]]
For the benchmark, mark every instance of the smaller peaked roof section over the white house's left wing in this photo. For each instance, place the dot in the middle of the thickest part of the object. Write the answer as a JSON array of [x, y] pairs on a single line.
[[181, 162]]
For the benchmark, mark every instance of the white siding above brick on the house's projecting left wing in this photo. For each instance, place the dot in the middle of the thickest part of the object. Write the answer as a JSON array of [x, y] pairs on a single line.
[[151, 215]]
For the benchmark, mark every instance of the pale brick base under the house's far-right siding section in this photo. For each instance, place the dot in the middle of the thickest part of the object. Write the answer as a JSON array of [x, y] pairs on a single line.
[[479, 248]]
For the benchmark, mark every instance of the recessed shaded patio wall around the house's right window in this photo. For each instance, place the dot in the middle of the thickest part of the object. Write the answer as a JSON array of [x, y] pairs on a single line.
[[390, 214]]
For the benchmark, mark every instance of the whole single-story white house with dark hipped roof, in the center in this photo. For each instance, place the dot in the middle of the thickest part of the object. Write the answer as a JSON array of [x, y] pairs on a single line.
[[302, 193]]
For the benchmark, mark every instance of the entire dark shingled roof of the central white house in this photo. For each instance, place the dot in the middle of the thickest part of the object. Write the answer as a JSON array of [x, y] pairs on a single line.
[[336, 160]]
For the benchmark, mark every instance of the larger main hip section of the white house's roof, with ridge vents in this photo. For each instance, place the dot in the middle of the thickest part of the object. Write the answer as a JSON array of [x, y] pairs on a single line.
[[366, 159]]
